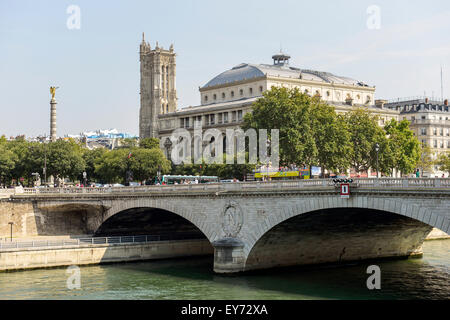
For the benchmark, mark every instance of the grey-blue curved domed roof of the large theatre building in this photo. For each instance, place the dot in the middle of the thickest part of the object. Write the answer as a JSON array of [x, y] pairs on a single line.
[[245, 71]]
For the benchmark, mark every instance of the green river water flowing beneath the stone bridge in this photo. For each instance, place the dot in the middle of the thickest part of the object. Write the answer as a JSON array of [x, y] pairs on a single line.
[[426, 278]]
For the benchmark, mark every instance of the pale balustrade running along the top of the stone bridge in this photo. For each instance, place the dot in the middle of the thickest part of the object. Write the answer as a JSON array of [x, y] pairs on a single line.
[[241, 186]]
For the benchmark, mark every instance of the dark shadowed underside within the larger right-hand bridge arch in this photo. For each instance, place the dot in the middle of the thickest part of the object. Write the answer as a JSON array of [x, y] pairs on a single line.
[[337, 235]]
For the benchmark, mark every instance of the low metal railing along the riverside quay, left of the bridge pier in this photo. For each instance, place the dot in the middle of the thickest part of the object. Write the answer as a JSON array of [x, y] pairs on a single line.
[[6, 244]]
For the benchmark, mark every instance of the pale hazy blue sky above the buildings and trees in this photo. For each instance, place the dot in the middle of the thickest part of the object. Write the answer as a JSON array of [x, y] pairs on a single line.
[[97, 66]]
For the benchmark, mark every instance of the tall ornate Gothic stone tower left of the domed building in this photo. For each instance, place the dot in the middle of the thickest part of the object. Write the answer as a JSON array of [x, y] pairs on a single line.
[[158, 92]]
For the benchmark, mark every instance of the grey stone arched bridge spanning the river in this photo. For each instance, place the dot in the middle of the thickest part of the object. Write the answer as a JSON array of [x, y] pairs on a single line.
[[254, 225]]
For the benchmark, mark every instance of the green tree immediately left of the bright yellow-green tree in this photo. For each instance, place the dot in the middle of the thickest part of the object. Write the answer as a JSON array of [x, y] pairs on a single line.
[[364, 135]]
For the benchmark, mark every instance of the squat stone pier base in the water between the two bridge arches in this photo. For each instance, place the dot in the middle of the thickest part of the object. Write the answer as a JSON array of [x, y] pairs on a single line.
[[229, 255]]
